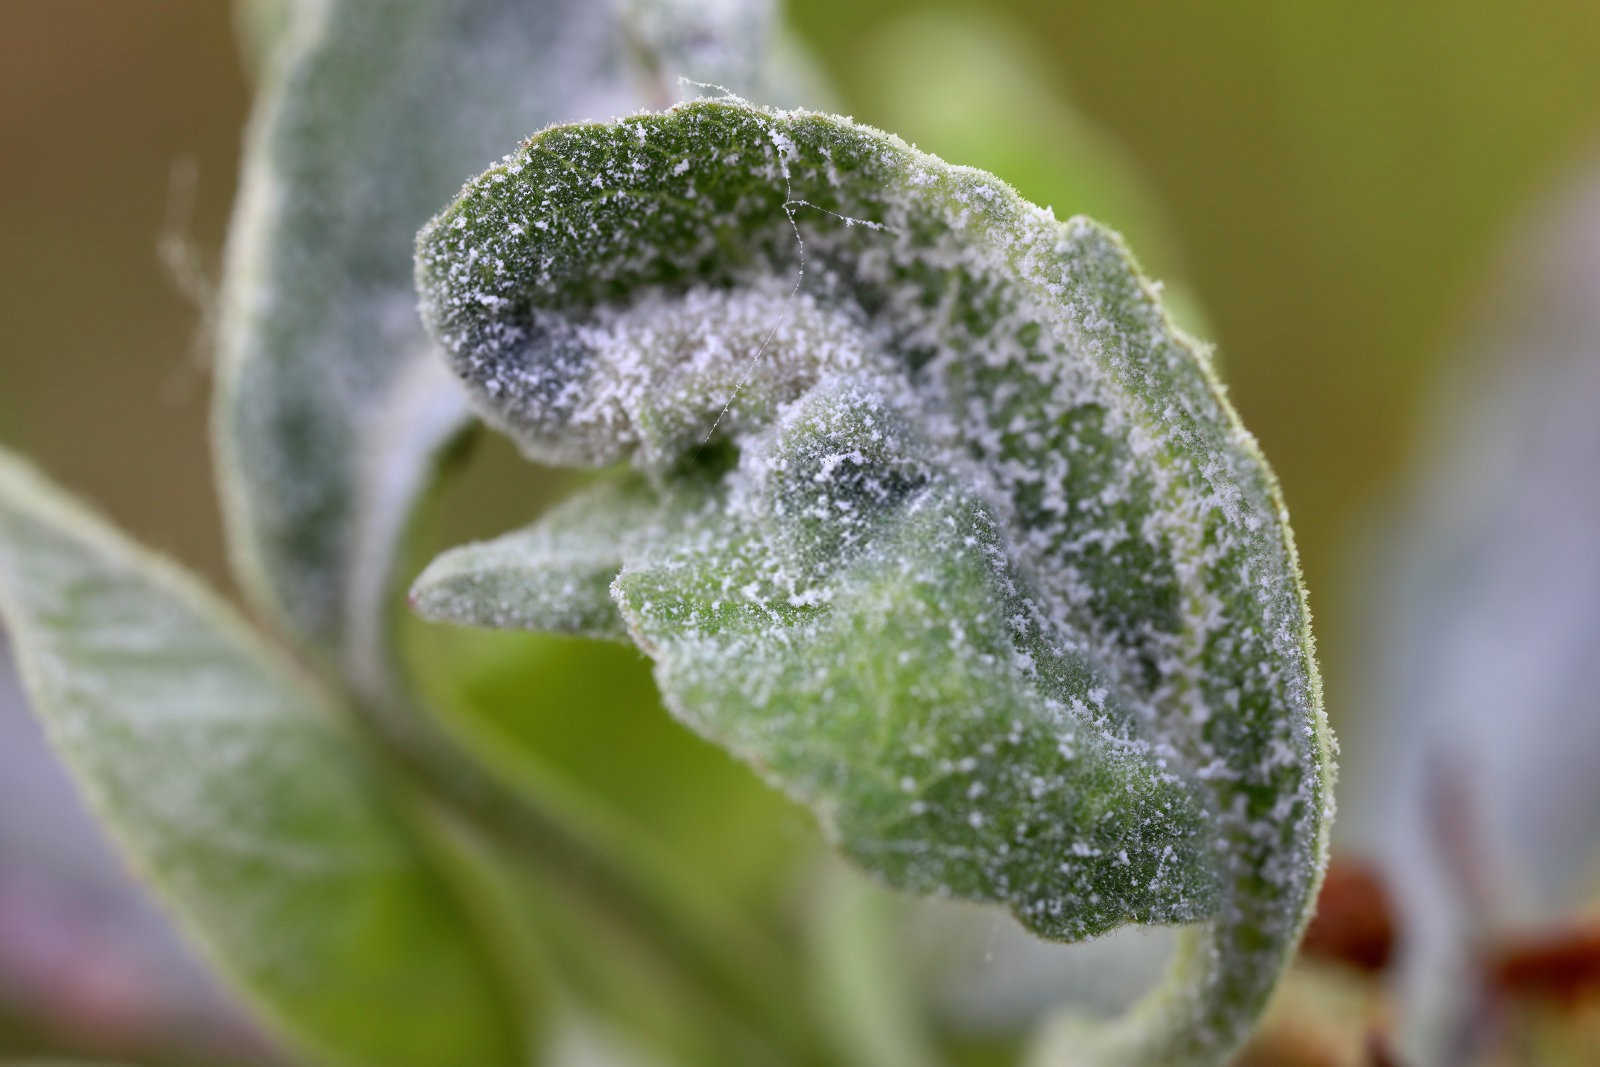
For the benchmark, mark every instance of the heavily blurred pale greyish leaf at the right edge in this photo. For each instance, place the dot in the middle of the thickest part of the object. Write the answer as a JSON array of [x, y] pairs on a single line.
[[1474, 775]]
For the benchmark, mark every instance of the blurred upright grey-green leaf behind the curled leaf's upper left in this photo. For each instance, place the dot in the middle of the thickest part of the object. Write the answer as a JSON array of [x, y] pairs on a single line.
[[330, 409]]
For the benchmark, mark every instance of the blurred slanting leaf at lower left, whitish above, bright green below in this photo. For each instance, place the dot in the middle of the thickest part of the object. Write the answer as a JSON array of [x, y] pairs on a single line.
[[233, 788]]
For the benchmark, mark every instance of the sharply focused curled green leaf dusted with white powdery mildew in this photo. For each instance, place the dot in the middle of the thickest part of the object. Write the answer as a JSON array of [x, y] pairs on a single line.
[[993, 577]]
